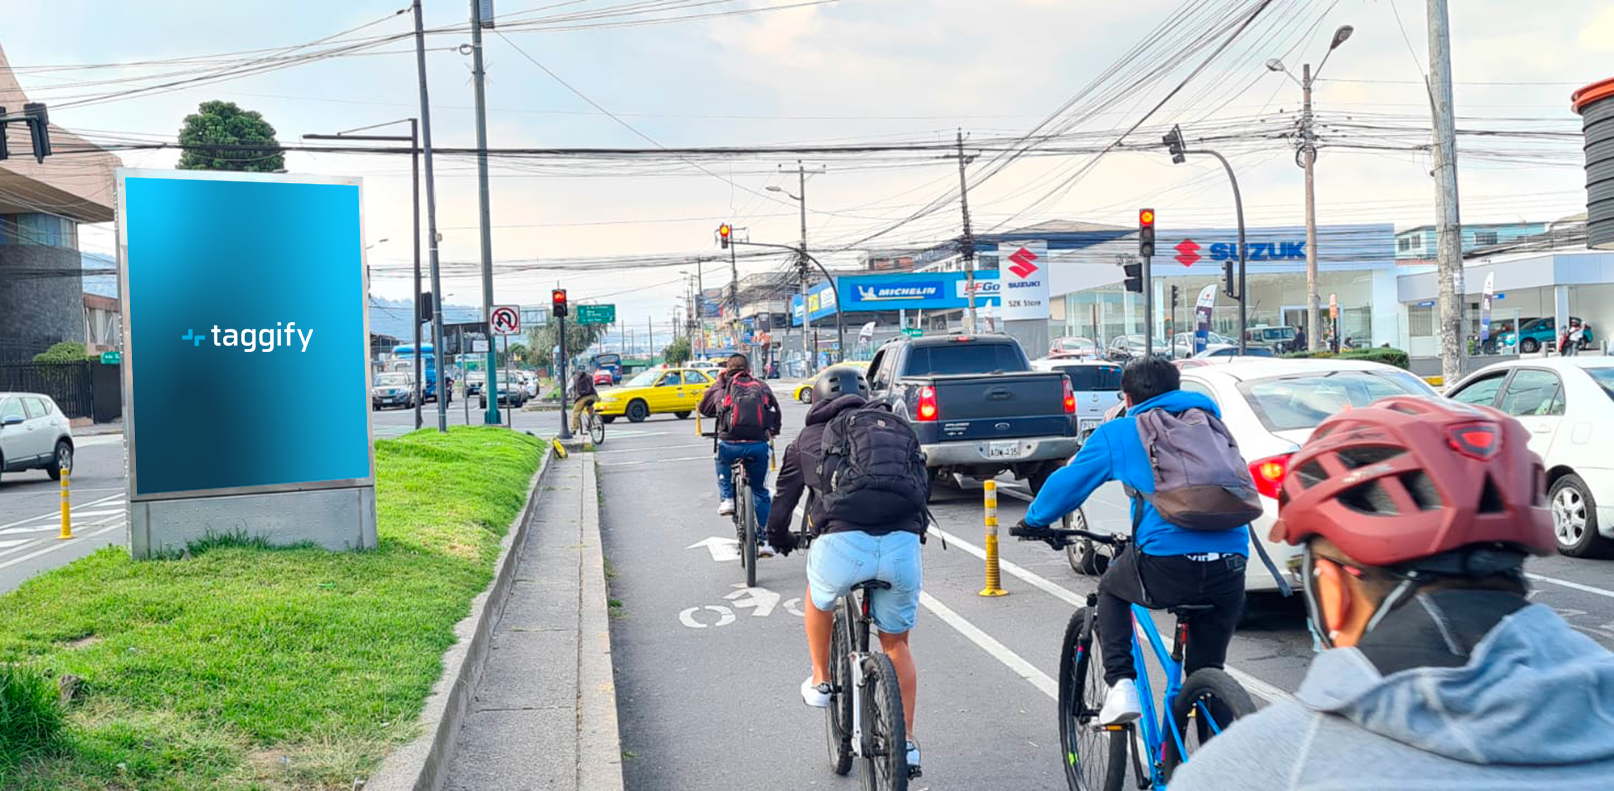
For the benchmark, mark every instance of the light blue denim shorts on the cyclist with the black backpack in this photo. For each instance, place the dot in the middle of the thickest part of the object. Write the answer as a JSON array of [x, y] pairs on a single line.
[[838, 561]]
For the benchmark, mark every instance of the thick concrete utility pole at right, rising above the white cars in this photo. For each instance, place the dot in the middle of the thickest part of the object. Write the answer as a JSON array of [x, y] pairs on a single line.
[[1449, 225]]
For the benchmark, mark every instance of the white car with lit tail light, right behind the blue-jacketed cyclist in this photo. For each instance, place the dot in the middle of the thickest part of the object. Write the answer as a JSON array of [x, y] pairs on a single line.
[[1271, 408]]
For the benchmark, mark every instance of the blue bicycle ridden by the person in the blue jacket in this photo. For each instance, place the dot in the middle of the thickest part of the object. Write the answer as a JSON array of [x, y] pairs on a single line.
[[1190, 713]]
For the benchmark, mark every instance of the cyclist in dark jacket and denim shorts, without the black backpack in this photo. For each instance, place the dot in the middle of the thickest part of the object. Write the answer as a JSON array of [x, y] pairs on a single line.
[[847, 553]]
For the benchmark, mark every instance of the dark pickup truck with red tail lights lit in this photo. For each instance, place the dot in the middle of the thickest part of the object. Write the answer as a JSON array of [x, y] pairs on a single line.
[[977, 406]]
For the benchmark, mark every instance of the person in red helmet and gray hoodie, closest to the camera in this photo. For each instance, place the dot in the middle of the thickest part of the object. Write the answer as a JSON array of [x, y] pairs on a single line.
[[1416, 517]]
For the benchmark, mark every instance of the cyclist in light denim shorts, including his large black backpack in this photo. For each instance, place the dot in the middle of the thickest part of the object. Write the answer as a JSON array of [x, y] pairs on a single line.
[[868, 487]]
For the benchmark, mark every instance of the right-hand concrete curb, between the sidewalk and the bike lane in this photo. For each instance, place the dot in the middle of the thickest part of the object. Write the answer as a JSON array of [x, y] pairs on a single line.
[[600, 743]]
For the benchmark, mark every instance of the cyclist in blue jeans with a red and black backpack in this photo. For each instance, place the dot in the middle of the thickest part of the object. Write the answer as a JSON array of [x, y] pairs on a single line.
[[748, 416]]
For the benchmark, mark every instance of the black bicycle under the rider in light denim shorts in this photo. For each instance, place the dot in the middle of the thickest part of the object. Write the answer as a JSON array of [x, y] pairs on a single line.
[[864, 719]]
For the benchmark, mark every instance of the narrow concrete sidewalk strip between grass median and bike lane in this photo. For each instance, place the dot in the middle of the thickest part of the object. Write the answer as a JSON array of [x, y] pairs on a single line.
[[545, 714]]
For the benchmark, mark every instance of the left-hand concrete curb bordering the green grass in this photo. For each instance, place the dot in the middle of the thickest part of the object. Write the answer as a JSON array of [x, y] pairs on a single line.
[[424, 763]]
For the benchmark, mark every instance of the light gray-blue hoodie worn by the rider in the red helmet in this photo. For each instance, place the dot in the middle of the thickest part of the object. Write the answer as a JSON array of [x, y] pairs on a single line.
[[1532, 709]]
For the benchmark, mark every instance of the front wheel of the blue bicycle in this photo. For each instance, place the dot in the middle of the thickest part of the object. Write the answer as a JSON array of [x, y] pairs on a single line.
[[1095, 760]]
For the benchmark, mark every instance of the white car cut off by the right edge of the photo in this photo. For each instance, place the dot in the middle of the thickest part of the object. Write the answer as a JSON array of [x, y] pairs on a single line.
[[1568, 406]]
